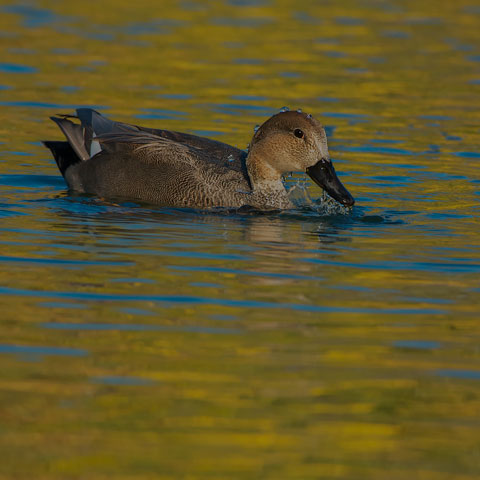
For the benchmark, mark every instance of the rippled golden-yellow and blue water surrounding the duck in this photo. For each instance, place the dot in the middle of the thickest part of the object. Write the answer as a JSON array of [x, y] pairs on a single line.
[[145, 342]]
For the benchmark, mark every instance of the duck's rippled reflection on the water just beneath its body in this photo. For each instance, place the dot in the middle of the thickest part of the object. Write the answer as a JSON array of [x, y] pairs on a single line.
[[277, 234]]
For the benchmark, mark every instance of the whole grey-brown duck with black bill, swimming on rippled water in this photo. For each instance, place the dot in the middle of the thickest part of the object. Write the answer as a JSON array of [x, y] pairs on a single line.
[[116, 160]]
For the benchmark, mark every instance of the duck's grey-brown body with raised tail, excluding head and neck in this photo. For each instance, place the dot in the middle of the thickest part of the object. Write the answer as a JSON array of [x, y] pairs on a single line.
[[155, 166]]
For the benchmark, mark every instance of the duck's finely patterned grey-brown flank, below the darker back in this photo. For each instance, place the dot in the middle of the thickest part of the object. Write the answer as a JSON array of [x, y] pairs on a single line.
[[142, 165]]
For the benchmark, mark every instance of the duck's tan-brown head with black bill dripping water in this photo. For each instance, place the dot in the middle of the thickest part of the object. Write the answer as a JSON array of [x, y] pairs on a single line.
[[293, 142]]
